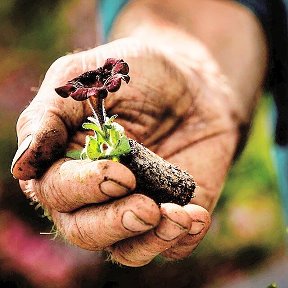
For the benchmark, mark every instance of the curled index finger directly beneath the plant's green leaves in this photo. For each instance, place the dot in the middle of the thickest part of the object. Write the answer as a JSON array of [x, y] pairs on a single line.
[[70, 184]]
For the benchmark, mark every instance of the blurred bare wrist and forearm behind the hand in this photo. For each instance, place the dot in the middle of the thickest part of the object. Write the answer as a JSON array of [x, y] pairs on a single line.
[[231, 48]]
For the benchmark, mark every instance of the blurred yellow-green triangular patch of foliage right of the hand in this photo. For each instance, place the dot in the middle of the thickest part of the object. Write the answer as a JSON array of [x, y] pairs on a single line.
[[248, 218]]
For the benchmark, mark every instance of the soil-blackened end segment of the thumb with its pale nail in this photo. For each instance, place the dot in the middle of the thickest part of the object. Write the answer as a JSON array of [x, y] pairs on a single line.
[[41, 139]]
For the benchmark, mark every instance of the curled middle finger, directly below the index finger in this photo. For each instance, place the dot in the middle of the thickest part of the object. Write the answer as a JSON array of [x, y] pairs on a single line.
[[97, 227]]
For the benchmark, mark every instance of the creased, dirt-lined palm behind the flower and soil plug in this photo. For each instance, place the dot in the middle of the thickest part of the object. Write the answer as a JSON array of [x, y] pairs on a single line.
[[185, 122]]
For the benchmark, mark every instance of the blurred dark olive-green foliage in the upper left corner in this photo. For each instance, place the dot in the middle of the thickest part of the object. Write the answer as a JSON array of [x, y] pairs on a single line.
[[32, 30]]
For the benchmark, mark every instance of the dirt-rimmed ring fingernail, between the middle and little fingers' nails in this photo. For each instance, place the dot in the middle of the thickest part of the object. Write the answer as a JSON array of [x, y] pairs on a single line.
[[169, 230]]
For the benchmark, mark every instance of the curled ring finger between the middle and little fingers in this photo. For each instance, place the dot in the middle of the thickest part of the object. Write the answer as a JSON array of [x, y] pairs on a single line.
[[138, 251]]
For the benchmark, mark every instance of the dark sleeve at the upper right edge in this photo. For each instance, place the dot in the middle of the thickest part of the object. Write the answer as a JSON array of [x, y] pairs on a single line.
[[273, 17]]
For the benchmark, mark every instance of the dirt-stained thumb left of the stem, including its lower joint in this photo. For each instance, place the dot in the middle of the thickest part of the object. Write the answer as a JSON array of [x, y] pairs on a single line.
[[42, 130]]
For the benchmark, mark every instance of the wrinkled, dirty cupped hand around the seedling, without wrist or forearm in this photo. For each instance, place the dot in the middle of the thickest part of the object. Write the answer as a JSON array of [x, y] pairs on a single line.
[[178, 112]]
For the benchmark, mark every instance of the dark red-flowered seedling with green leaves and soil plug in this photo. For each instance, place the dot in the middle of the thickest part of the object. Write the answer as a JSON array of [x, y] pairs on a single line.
[[156, 178]]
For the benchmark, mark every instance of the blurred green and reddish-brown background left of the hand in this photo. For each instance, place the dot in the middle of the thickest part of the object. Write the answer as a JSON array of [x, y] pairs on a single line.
[[33, 34]]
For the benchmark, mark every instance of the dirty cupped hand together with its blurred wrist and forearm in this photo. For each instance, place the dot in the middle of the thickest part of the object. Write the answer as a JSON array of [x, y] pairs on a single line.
[[190, 93]]
